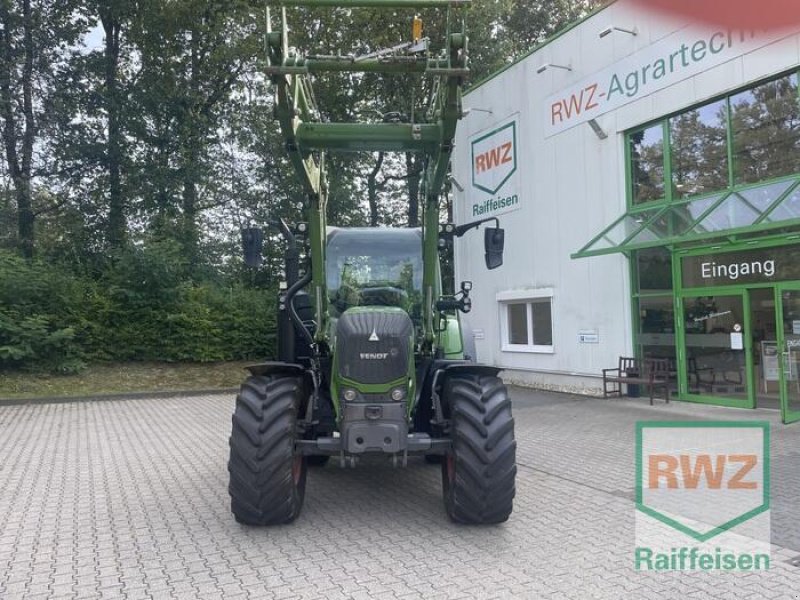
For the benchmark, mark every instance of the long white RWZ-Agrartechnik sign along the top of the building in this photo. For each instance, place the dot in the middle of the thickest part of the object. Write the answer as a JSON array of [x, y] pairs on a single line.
[[676, 57]]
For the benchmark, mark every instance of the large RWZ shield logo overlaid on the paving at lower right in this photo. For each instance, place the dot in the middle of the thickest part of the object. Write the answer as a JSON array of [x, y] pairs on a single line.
[[702, 478]]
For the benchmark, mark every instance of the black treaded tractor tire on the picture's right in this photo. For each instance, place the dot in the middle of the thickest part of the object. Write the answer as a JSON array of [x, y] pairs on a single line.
[[478, 474]]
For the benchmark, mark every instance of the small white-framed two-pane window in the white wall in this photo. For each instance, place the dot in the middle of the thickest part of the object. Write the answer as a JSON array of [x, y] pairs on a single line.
[[526, 321]]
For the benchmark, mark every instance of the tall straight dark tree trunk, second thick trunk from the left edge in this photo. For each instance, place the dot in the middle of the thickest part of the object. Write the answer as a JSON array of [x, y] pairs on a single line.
[[117, 226]]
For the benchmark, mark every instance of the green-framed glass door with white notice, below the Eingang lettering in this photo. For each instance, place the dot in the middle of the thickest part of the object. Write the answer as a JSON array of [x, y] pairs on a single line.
[[715, 362]]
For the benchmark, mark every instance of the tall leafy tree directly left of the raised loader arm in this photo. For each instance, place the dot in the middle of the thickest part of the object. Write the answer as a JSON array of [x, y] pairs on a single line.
[[193, 55]]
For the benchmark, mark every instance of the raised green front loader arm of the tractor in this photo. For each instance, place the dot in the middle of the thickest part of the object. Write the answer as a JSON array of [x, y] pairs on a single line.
[[307, 138]]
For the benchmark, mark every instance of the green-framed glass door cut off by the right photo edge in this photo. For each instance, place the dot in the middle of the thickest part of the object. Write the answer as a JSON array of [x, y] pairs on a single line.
[[789, 343]]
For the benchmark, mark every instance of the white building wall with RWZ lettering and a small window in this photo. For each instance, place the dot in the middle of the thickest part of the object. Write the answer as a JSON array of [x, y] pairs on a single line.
[[570, 184]]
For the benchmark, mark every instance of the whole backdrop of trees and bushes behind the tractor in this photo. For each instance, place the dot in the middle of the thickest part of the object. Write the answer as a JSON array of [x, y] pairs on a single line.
[[155, 145]]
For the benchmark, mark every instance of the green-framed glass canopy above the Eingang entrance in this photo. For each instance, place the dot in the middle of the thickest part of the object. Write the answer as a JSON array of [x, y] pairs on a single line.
[[763, 207]]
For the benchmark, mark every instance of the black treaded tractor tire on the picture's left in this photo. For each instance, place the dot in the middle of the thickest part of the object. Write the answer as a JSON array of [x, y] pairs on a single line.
[[267, 479]]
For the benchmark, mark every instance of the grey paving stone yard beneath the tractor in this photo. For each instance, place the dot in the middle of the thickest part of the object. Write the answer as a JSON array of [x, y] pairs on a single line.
[[128, 499]]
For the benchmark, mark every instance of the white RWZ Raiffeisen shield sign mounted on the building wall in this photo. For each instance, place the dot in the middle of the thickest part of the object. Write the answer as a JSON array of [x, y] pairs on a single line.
[[494, 188]]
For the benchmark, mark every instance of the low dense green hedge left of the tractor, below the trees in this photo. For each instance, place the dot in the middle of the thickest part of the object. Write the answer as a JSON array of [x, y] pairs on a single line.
[[143, 308]]
